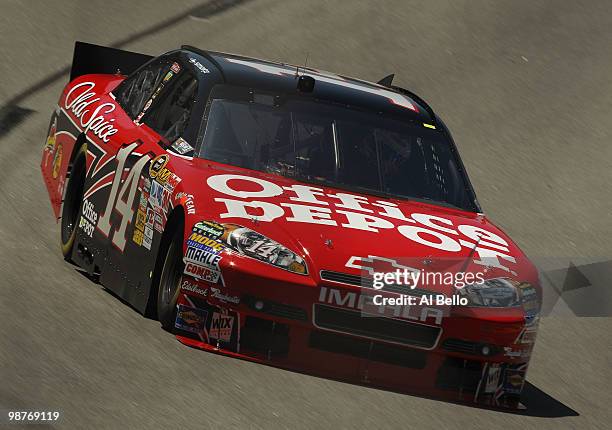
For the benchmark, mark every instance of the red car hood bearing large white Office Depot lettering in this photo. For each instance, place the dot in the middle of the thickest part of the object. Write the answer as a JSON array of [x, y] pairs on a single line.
[[345, 232]]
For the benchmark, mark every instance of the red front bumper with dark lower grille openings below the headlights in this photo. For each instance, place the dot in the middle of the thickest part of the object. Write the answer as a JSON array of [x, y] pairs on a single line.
[[471, 356]]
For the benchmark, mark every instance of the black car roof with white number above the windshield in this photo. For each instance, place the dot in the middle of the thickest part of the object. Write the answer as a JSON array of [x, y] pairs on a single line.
[[281, 77]]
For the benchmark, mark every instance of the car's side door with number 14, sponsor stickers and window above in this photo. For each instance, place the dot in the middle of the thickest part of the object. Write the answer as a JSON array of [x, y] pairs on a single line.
[[160, 104]]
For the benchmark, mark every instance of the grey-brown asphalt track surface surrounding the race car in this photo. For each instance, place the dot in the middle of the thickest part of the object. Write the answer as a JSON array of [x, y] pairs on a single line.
[[526, 89]]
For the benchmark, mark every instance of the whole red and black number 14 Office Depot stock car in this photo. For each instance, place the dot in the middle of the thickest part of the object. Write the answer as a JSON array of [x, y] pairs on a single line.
[[247, 205]]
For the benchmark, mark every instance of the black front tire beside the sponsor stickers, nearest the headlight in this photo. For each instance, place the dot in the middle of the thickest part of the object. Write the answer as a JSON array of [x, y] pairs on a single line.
[[168, 288]]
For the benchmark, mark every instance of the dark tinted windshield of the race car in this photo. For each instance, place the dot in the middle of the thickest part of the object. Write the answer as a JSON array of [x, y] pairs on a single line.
[[333, 145]]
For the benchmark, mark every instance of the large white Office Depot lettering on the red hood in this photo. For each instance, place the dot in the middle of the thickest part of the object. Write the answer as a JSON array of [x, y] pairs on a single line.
[[308, 204]]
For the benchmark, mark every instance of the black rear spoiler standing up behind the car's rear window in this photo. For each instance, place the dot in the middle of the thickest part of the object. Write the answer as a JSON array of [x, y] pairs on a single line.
[[89, 58]]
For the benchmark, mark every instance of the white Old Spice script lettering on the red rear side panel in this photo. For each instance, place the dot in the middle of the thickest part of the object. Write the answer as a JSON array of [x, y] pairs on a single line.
[[79, 101]]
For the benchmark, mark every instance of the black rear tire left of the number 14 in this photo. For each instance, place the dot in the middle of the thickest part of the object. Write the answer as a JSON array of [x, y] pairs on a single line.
[[73, 197]]
